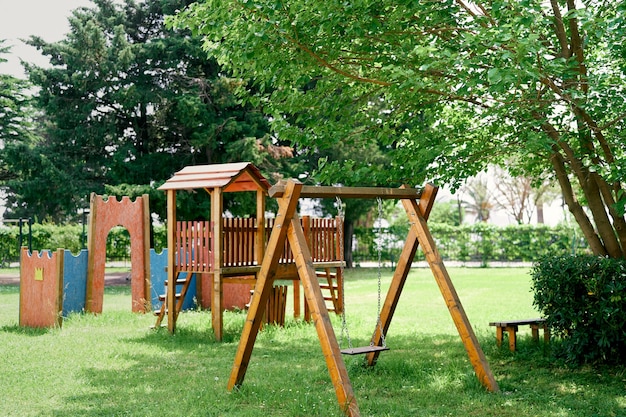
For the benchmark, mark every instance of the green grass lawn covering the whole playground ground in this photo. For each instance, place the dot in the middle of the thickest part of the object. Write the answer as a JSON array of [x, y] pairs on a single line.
[[114, 365]]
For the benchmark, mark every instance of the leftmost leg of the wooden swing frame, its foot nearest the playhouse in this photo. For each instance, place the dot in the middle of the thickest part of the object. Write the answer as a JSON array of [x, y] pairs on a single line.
[[287, 207]]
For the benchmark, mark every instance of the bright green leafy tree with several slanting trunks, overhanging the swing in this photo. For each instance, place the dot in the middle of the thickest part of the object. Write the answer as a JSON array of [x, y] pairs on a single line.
[[451, 86]]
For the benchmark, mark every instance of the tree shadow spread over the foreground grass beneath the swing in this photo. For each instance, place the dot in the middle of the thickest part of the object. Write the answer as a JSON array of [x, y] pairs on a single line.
[[422, 375]]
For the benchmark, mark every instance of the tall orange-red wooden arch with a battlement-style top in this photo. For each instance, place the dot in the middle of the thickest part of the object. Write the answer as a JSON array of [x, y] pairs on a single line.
[[135, 217]]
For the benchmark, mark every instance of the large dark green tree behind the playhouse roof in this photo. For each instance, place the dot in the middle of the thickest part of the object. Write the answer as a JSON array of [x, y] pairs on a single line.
[[129, 101]]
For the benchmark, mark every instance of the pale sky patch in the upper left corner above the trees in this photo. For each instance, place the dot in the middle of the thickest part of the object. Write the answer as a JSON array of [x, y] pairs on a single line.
[[19, 19]]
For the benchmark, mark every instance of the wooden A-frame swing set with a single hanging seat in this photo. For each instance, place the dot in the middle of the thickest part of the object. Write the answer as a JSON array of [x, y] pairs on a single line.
[[287, 228]]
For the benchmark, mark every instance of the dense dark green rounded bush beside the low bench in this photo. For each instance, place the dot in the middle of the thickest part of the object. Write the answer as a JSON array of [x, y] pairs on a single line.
[[583, 299]]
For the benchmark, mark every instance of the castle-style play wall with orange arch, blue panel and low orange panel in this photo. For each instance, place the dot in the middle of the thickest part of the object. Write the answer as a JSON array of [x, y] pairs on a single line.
[[55, 285]]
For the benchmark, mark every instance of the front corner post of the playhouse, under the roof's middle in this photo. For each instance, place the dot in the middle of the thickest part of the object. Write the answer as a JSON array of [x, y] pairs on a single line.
[[216, 292]]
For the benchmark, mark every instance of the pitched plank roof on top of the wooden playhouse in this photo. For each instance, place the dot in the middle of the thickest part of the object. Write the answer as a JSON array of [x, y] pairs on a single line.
[[241, 176]]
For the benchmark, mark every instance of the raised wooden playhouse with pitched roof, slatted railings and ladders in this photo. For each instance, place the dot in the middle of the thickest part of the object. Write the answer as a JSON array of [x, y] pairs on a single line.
[[225, 250]]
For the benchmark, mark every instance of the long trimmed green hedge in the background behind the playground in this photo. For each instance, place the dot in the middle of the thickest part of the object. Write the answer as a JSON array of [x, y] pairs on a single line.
[[475, 242]]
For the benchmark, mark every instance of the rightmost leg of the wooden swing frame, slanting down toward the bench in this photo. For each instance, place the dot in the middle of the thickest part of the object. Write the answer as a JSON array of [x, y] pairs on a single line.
[[464, 327]]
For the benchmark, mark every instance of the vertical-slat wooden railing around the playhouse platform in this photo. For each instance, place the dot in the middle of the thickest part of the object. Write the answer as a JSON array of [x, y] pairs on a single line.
[[193, 242]]
